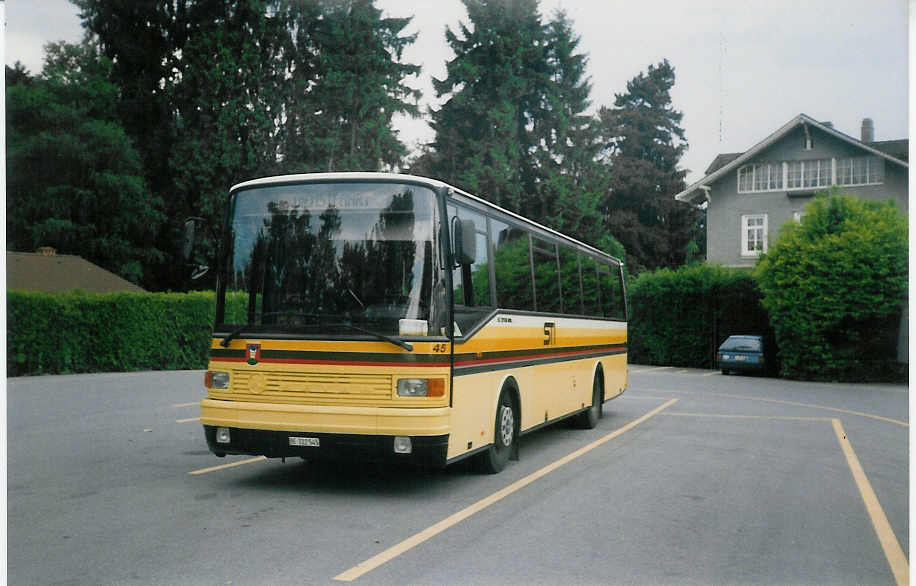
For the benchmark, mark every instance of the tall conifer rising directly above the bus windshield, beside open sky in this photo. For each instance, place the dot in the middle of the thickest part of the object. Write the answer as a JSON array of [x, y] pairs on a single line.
[[356, 85]]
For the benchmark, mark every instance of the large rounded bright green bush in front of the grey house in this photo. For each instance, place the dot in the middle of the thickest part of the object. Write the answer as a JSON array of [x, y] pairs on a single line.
[[835, 286]]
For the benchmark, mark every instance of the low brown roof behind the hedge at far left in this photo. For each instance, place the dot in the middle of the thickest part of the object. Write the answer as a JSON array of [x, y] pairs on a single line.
[[56, 273]]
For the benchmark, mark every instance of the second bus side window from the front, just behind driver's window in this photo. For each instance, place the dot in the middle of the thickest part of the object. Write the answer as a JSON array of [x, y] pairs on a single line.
[[512, 265]]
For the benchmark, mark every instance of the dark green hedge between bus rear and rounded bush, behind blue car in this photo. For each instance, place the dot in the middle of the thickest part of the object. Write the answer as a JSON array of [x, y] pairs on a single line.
[[679, 317]]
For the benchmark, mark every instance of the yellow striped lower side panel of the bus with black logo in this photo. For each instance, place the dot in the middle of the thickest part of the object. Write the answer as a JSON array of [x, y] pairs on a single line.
[[553, 370]]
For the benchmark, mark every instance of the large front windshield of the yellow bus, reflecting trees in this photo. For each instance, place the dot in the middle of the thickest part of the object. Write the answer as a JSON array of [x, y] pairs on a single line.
[[333, 259]]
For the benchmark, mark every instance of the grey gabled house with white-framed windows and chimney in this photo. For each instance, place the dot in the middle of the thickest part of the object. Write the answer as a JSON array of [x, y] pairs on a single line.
[[751, 194]]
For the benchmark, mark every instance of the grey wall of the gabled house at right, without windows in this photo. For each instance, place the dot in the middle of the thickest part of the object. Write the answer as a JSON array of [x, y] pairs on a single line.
[[723, 232]]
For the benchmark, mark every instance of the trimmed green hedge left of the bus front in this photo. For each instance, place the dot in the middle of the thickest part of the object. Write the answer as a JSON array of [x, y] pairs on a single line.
[[83, 332]]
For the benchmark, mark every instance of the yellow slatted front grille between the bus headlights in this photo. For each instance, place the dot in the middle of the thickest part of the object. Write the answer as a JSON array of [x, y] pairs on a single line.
[[313, 388]]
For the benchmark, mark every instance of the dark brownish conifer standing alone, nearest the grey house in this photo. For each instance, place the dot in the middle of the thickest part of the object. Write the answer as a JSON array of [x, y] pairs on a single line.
[[645, 142]]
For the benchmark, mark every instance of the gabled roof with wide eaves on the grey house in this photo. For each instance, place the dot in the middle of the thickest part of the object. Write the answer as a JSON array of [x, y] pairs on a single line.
[[895, 151]]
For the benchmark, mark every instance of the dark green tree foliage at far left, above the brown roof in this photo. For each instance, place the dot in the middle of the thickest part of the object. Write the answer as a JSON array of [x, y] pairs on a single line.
[[75, 180]]
